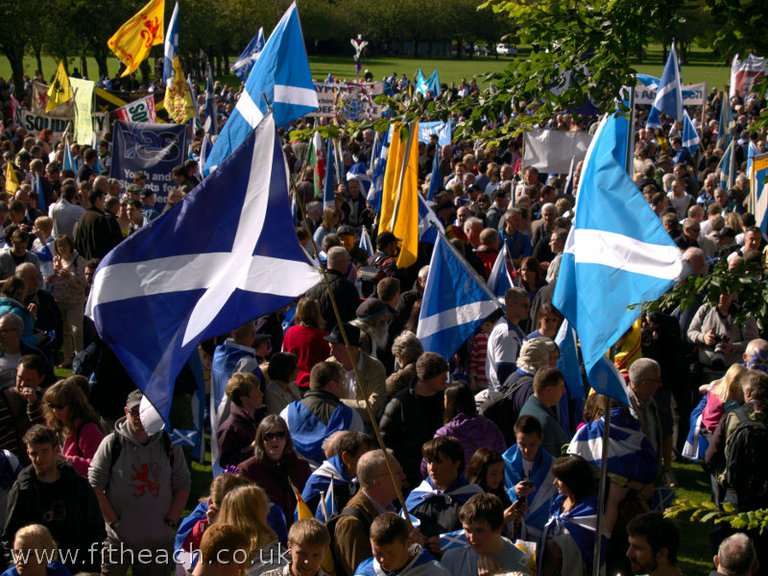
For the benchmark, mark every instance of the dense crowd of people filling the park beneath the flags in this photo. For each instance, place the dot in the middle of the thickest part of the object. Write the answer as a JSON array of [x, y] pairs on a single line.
[[487, 455]]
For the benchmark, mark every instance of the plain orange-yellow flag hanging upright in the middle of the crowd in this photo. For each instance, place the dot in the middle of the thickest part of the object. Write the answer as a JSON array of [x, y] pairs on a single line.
[[400, 202]]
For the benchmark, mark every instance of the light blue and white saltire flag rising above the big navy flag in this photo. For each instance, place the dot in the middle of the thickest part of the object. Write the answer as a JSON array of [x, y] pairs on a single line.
[[282, 76]]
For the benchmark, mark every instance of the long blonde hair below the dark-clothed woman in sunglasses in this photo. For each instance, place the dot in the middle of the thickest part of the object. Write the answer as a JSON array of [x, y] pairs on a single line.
[[246, 507]]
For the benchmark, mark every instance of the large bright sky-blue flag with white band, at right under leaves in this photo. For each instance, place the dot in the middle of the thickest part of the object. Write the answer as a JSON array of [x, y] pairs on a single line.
[[617, 252]]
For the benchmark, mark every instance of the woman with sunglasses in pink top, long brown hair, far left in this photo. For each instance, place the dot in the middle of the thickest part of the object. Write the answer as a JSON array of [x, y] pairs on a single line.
[[69, 414]]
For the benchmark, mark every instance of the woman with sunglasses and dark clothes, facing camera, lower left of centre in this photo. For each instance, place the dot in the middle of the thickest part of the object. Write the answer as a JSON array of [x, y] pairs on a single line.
[[275, 465]]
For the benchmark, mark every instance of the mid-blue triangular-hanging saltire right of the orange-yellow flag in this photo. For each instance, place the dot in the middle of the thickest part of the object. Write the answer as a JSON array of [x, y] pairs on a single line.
[[455, 301]]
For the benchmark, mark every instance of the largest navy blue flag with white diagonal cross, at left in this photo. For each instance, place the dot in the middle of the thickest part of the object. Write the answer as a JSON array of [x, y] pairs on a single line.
[[197, 272]]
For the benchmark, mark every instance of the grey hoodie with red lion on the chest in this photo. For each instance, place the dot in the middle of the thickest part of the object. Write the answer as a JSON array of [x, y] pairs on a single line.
[[140, 486]]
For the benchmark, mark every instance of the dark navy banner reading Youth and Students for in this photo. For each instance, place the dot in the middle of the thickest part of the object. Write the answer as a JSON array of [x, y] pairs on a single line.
[[154, 149]]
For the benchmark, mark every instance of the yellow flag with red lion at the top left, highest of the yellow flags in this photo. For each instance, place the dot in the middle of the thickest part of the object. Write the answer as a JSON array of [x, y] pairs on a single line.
[[133, 40]]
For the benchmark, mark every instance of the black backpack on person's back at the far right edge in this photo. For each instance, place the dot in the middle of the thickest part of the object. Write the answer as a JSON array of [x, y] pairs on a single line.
[[745, 463]]
